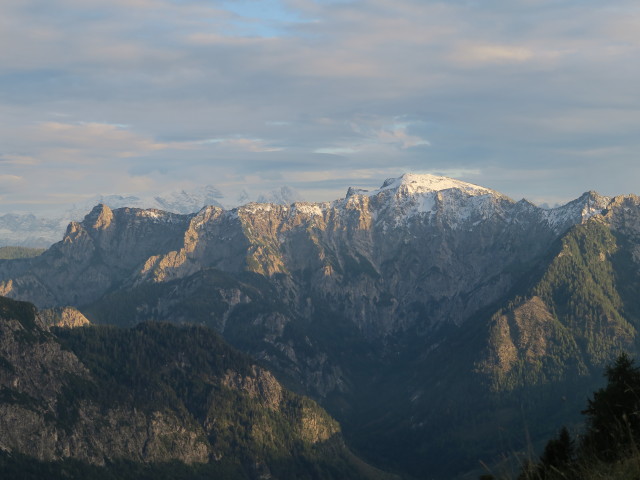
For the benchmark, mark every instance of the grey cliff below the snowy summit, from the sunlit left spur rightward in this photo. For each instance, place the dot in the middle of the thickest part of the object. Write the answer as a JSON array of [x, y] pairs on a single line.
[[419, 252]]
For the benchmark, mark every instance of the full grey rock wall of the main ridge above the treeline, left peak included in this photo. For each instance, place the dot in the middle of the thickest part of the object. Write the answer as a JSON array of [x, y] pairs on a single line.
[[418, 252]]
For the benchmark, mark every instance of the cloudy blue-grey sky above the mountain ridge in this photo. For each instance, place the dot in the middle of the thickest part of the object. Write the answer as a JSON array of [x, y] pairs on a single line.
[[536, 99]]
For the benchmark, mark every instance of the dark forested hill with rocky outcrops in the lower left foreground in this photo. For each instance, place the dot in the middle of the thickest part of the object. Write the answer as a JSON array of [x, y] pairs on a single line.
[[154, 401]]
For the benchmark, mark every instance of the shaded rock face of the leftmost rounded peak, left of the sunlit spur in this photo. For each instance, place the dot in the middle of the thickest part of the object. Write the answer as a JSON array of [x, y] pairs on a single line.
[[94, 256]]
